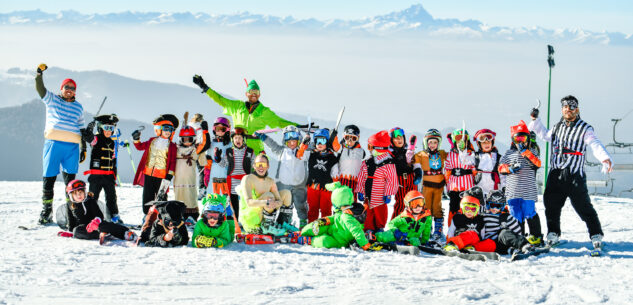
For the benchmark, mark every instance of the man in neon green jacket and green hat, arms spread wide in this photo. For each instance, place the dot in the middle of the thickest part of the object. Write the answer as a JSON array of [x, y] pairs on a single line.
[[250, 114]]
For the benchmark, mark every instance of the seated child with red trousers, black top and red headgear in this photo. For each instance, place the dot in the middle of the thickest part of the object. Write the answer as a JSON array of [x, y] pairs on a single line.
[[467, 227]]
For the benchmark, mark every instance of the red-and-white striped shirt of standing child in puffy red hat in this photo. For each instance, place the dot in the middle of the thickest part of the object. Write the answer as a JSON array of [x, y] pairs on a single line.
[[385, 181]]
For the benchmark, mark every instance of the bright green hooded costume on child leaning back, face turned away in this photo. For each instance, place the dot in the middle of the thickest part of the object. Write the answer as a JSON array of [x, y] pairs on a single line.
[[341, 228]]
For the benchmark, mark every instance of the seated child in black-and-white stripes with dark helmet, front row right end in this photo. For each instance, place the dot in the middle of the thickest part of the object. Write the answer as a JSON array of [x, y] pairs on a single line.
[[502, 227]]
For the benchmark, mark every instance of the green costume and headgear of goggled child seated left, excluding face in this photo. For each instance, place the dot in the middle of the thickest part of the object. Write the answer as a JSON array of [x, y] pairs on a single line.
[[218, 237]]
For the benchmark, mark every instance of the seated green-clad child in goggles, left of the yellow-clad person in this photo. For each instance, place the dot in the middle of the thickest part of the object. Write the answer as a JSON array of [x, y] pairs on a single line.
[[213, 230]]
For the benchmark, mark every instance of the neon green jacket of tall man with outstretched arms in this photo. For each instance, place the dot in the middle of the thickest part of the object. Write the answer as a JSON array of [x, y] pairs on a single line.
[[261, 117]]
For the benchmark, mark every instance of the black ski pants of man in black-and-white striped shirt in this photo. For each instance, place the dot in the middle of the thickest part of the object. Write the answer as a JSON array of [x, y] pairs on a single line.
[[561, 184]]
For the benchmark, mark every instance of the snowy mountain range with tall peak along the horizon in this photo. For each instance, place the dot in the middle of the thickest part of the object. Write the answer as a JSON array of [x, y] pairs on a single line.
[[414, 20]]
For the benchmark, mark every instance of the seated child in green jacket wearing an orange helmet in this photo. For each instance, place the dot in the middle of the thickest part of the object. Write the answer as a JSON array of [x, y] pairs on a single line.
[[413, 226]]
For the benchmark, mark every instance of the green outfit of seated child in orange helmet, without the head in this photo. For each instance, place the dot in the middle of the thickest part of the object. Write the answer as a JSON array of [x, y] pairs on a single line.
[[418, 231]]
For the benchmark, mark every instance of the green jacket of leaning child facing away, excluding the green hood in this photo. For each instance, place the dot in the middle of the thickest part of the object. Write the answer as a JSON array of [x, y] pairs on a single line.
[[342, 230]]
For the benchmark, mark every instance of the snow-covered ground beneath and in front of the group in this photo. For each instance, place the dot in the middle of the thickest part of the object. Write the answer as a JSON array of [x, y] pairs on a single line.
[[37, 267]]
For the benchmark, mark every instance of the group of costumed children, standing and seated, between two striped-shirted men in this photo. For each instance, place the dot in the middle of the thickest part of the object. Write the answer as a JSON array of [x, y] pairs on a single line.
[[339, 192]]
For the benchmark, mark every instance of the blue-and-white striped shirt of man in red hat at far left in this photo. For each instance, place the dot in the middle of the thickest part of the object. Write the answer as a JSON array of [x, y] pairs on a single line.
[[63, 115]]
